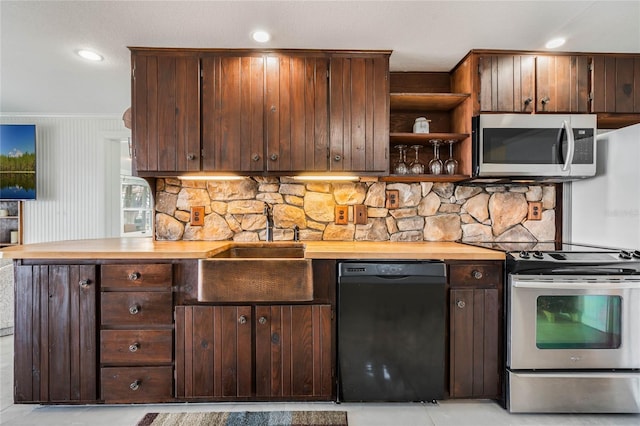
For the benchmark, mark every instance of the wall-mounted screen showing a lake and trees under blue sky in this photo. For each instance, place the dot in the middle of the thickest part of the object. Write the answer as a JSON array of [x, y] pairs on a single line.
[[17, 162]]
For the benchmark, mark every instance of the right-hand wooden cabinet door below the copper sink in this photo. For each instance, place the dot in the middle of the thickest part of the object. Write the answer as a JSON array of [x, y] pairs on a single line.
[[293, 351]]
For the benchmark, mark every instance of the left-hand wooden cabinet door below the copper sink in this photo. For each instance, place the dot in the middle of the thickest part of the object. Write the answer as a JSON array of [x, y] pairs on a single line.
[[213, 352]]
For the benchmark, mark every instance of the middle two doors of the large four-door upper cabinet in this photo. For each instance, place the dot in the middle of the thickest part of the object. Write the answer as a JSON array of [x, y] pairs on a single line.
[[264, 113]]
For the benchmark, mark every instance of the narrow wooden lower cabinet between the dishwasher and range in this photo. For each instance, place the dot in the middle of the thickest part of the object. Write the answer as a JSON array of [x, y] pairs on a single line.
[[475, 328]]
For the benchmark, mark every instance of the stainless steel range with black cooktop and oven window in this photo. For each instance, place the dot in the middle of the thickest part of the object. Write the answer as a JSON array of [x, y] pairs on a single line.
[[573, 329]]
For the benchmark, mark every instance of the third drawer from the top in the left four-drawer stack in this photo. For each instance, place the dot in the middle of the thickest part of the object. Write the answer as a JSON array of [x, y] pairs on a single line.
[[136, 346]]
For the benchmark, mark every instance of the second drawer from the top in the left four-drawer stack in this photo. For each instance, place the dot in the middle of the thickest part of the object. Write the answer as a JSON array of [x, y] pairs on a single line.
[[136, 308]]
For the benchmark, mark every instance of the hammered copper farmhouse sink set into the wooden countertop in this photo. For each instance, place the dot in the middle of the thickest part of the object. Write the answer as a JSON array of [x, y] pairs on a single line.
[[256, 273]]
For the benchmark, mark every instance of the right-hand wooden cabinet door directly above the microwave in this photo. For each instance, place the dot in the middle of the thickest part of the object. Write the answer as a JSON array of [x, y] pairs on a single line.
[[562, 84]]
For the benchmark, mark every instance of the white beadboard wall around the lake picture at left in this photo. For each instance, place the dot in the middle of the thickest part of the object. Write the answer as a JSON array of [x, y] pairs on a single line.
[[78, 167]]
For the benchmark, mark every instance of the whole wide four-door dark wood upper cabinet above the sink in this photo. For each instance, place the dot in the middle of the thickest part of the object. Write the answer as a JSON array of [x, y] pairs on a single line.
[[259, 111]]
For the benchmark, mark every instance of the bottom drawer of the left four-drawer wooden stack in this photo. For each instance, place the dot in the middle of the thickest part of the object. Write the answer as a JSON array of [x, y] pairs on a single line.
[[136, 384]]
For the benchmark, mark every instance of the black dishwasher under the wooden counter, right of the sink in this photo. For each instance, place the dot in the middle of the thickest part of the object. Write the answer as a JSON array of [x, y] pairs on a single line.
[[391, 331]]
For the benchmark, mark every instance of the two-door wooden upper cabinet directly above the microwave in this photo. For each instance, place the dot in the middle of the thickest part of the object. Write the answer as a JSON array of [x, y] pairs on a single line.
[[533, 83]]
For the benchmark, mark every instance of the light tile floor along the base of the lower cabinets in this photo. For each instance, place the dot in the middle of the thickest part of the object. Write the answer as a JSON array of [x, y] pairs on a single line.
[[446, 413]]
